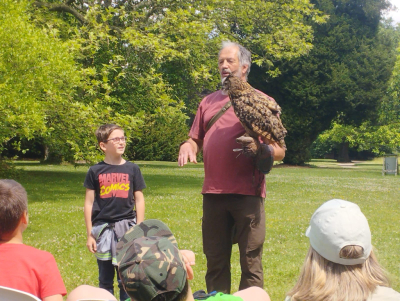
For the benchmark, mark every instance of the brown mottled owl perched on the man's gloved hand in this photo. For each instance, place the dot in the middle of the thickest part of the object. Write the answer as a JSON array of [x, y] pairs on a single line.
[[257, 112]]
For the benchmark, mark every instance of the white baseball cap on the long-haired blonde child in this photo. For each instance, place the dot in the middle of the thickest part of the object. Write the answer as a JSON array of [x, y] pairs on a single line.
[[336, 224]]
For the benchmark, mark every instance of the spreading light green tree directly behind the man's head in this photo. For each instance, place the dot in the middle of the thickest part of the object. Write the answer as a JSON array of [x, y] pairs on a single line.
[[145, 58]]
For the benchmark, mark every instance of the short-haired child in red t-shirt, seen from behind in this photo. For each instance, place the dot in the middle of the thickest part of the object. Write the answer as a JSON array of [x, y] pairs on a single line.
[[23, 267]]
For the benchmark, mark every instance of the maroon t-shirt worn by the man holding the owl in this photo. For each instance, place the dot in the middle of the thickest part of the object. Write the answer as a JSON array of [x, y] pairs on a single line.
[[226, 171]]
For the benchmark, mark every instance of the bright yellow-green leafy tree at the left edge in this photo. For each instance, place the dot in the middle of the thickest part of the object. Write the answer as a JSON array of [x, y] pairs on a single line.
[[41, 86]]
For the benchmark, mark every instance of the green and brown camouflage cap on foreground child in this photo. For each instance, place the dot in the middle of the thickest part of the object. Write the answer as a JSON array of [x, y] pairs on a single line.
[[149, 261]]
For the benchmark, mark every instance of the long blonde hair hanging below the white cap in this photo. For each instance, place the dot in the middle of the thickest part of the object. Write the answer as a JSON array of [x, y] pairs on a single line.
[[321, 279]]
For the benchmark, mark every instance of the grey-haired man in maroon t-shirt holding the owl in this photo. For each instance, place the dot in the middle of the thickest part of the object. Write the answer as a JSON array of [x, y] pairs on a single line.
[[234, 183]]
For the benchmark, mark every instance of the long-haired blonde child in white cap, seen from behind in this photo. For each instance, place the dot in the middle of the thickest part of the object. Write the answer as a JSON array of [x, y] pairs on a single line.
[[340, 264]]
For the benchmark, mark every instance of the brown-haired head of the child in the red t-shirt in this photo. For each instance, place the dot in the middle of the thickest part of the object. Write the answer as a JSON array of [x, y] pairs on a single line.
[[13, 204]]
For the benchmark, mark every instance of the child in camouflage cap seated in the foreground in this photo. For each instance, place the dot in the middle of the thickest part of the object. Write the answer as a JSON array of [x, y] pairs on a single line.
[[152, 268]]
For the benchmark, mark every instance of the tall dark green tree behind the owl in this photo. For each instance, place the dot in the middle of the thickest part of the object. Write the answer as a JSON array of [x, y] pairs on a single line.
[[344, 76]]
